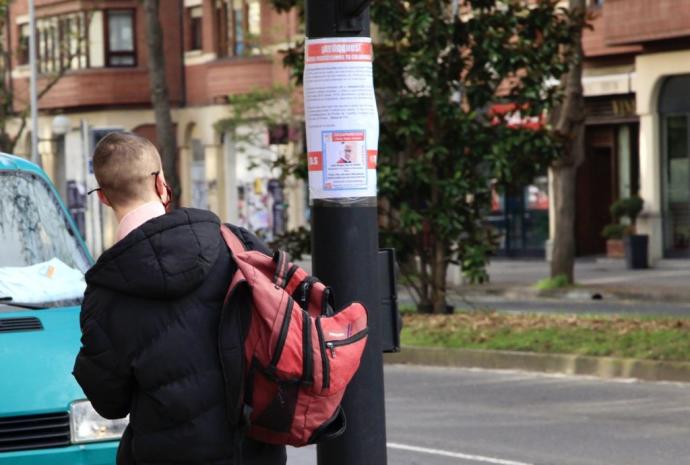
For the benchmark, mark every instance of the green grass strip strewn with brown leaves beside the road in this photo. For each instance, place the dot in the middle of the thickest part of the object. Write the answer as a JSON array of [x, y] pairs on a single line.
[[626, 337]]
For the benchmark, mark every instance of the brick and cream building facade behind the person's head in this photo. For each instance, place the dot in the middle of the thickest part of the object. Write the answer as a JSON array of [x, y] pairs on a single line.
[[93, 58]]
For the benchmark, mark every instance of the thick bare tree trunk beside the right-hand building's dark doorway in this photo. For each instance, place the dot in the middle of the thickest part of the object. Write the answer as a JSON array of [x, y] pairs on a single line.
[[570, 119]]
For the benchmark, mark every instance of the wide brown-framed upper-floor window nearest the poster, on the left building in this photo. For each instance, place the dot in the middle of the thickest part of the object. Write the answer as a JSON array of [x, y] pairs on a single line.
[[239, 27]]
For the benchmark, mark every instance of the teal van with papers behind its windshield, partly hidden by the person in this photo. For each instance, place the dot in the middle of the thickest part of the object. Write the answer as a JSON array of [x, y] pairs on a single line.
[[44, 415]]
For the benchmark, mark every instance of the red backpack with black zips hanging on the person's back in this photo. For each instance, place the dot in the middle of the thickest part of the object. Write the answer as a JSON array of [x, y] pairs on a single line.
[[297, 355]]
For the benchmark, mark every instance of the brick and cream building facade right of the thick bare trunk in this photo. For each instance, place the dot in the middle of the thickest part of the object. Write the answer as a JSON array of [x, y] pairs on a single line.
[[637, 87]]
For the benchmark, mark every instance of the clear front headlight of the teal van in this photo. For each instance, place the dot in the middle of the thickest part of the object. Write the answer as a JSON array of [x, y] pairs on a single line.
[[86, 425]]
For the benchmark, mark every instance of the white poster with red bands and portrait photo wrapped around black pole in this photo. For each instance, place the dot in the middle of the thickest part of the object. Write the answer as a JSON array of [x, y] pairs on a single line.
[[341, 118]]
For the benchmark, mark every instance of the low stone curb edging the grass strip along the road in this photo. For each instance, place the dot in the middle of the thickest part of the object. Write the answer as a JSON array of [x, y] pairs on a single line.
[[603, 367]]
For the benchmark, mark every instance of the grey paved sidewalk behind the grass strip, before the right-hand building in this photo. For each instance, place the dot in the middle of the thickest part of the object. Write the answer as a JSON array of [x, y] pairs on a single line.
[[668, 281]]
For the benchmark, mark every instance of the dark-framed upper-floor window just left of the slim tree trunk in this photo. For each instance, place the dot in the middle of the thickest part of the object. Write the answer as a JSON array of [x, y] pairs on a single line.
[[120, 38]]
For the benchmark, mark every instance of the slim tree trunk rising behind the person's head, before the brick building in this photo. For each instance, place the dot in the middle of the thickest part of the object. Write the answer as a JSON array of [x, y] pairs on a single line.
[[165, 131]]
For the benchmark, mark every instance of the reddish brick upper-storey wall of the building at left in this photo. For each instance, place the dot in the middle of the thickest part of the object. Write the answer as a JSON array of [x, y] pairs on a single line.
[[199, 84]]
